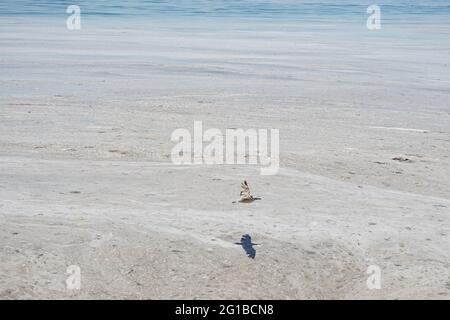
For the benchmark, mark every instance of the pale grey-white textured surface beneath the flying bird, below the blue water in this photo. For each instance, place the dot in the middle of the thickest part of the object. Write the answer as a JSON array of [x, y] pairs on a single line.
[[86, 178]]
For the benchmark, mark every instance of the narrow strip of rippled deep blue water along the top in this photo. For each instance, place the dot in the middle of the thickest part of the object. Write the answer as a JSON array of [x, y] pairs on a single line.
[[259, 9]]
